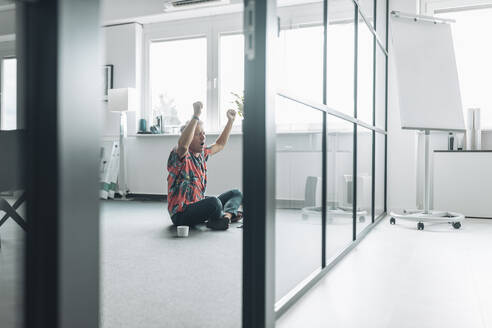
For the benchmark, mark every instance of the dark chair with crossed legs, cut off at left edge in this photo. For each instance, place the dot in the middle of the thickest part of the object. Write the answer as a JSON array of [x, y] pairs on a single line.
[[11, 175]]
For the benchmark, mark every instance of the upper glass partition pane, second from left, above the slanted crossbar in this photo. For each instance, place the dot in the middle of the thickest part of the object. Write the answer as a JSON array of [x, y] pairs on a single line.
[[340, 57]]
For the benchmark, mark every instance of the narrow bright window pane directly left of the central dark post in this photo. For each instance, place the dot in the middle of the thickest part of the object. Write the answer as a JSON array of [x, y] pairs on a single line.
[[231, 74]]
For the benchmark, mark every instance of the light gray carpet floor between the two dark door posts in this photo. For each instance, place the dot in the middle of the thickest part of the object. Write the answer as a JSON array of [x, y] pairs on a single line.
[[151, 278]]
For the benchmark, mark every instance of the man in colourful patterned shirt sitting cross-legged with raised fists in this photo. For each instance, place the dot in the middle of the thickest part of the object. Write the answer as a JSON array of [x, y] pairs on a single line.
[[187, 179]]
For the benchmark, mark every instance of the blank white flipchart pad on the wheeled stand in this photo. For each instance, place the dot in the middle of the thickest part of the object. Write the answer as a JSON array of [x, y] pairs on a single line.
[[427, 77]]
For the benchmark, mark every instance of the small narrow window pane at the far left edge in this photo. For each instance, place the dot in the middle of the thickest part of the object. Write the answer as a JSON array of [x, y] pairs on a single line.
[[9, 94]]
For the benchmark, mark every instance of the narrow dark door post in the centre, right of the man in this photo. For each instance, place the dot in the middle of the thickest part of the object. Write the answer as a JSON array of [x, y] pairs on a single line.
[[260, 26]]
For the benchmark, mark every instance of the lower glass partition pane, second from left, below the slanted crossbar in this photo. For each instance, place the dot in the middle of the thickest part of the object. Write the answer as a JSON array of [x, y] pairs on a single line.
[[339, 158]]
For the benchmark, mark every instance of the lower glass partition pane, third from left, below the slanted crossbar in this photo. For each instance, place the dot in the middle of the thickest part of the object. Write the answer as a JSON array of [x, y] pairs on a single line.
[[364, 178]]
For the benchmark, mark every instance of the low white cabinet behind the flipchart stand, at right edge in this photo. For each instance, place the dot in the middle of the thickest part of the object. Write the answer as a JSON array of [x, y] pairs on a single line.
[[463, 182]]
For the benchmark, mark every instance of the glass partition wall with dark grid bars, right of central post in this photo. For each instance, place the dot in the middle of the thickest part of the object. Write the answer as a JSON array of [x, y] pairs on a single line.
[[331, 112]]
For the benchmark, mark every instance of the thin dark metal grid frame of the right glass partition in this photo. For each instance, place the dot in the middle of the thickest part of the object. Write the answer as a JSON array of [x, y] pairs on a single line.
[[327, 264]]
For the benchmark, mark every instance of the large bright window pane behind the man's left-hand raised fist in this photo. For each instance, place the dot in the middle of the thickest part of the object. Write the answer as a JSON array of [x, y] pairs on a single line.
[[178, 78]]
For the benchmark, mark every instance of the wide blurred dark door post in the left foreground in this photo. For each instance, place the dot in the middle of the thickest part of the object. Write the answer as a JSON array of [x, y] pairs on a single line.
[[60, 86]]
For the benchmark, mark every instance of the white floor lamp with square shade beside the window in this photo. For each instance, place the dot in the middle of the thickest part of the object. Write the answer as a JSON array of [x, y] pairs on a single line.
[[121, 101]]
